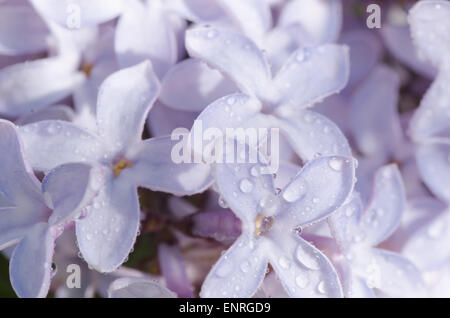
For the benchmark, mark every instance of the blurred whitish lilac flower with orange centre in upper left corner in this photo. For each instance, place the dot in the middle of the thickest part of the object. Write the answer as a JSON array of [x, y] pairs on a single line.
[[30, 86]]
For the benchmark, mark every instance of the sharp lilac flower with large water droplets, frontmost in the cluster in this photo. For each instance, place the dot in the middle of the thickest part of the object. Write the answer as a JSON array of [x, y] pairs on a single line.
[[270, 227]]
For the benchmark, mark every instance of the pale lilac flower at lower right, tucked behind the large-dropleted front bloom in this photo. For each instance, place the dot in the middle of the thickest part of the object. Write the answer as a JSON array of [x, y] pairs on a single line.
[[359, 231]]
